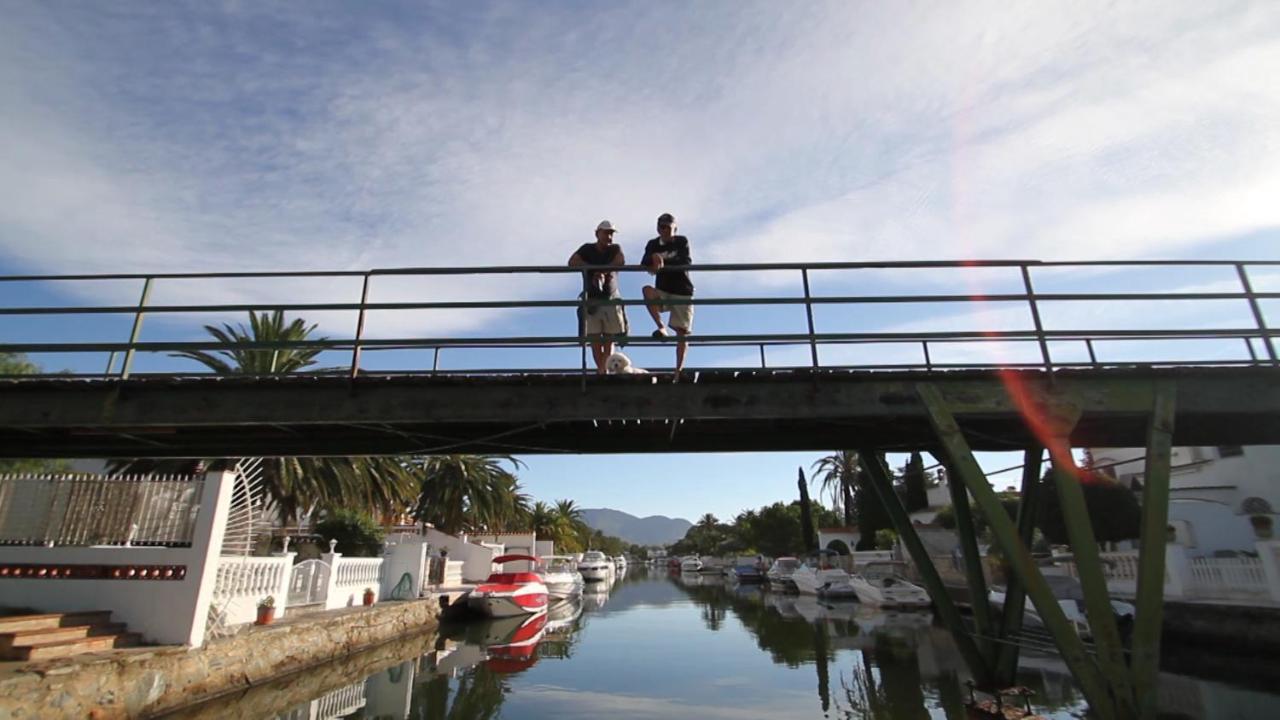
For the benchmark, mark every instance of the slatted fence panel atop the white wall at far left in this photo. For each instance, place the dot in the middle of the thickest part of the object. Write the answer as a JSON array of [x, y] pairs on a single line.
[[94, 511]]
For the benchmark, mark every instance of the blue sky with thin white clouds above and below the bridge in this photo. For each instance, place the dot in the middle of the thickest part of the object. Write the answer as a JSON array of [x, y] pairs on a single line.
[[287, 136]]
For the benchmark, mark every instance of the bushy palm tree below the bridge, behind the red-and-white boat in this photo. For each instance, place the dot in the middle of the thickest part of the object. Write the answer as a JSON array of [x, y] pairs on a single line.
[[469, 493]]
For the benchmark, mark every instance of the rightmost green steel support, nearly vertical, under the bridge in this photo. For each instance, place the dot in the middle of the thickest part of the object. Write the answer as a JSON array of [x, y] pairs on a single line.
[[1151, 555]]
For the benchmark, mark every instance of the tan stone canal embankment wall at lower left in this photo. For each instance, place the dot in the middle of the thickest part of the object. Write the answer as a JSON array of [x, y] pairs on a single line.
[[145, 682]]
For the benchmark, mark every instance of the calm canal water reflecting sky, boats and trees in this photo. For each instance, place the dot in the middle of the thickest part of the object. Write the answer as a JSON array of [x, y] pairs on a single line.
[[659, 646]]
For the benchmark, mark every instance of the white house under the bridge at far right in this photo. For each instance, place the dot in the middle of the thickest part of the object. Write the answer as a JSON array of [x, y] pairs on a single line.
[[1222, 499]]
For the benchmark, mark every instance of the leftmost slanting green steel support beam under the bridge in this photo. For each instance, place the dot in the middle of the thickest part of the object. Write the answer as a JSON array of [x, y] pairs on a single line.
[[947, 609]]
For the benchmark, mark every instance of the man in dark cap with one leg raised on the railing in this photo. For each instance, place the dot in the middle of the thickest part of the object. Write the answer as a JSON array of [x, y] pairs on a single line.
[[670, 250]]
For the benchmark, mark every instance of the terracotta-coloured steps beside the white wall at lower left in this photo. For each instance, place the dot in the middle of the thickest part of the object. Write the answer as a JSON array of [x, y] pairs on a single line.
[[62, 635]]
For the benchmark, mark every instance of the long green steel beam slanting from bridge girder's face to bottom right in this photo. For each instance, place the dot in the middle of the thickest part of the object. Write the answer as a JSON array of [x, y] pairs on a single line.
[[1069, 645]]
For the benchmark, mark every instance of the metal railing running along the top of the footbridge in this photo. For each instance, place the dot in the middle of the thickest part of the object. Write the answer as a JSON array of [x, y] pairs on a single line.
[[1153, 318]]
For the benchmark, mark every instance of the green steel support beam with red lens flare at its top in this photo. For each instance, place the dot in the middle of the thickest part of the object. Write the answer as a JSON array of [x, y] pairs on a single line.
[[1094, 582]]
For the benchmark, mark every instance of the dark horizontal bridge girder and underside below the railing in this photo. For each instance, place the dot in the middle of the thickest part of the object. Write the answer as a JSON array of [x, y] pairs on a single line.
[[764, 411]]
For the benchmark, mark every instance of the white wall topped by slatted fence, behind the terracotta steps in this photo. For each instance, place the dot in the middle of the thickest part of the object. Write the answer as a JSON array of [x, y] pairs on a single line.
[[144, 549]]
